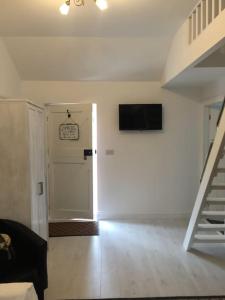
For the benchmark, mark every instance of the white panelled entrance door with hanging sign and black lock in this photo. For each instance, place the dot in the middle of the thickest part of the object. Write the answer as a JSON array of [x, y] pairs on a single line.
[[70, 149]]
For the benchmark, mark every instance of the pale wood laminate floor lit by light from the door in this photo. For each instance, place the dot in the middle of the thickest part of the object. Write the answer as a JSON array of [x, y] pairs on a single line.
[[131, 259]]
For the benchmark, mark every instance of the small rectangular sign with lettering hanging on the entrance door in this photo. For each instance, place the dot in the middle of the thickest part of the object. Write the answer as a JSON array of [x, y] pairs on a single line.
[[69, 131]]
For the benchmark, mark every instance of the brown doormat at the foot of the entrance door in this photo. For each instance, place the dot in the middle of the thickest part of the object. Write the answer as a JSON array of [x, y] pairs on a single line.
[[73, 228]]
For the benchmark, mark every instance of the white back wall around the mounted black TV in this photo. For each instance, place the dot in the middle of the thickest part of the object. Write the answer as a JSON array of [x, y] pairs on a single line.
[[150, 173]]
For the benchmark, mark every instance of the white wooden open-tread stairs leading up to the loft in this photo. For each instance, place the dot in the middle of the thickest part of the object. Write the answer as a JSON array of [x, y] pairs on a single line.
[[207, 220]]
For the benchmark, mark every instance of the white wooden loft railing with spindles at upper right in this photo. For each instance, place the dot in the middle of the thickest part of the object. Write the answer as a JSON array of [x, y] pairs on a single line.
[[202, 15]]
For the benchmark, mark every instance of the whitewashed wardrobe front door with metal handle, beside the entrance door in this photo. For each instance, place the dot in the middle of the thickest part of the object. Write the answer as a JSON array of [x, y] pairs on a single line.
[[37, 165]]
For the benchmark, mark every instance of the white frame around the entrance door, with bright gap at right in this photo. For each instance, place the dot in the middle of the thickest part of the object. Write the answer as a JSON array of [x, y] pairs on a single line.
[[94, 157]]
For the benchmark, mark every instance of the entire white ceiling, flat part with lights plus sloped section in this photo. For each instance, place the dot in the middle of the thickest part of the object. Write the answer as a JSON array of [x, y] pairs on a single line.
[[129, 41]]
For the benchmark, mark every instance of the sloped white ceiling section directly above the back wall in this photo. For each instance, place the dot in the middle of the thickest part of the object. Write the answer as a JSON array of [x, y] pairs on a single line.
[[72, 58]]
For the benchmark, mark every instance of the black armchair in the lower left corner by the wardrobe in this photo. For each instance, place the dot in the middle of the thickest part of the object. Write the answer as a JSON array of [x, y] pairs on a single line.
[[30, 261]]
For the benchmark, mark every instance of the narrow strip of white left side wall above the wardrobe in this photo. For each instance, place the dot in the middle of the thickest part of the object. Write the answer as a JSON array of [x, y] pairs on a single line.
[[10, 83]]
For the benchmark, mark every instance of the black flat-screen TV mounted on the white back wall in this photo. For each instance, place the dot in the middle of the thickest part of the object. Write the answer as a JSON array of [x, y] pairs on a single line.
[[140, 116]]
